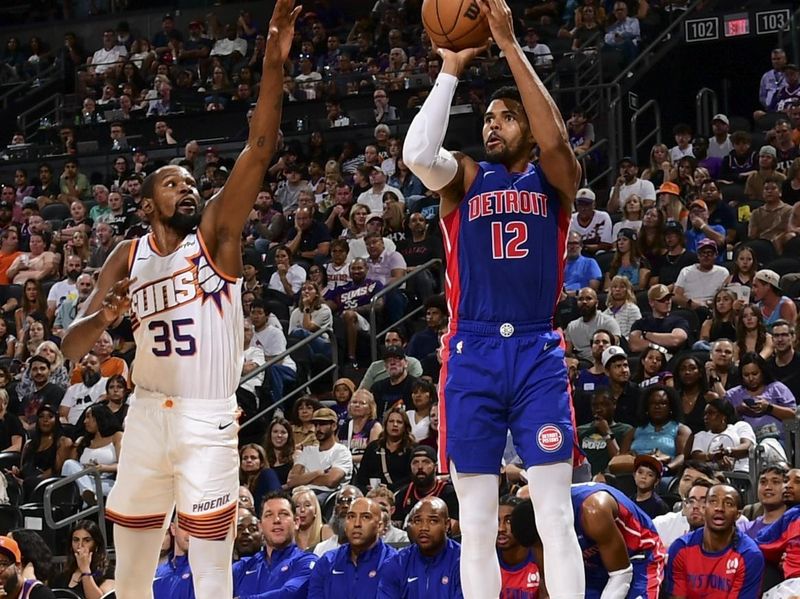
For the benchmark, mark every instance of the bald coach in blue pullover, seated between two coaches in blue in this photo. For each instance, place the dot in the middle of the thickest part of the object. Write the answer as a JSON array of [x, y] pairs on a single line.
[[353, 570]]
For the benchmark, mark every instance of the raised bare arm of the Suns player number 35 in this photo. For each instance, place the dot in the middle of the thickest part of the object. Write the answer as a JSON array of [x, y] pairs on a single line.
[[227, 212]]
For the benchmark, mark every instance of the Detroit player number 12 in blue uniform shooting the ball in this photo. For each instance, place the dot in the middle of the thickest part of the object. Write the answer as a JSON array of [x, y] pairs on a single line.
[[505, 225]]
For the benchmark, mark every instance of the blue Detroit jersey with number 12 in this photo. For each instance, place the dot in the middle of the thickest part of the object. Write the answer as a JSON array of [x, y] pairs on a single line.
[[506, 246]]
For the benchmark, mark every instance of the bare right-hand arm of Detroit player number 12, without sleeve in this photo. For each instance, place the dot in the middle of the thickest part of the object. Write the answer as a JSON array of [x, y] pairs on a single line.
[[556, 157]]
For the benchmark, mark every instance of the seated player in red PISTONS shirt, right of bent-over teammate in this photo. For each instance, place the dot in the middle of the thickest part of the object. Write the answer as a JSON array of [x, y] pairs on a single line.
[[687, 564]]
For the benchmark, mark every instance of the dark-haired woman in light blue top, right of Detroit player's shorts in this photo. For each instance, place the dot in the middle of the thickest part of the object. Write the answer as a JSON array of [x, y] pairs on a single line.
[[660, 432]]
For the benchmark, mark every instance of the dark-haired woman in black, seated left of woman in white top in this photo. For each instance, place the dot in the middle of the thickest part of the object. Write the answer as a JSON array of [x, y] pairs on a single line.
[[46, 451]]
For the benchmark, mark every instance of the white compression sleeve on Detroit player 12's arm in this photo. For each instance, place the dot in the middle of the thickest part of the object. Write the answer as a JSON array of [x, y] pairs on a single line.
[[422, 150]]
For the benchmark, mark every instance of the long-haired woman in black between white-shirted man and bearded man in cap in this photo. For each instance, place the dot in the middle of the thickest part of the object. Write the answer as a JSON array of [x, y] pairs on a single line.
[[387, 460]]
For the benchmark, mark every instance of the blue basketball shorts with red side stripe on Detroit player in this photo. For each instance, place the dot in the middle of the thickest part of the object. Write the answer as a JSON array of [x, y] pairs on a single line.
[[500, 377]]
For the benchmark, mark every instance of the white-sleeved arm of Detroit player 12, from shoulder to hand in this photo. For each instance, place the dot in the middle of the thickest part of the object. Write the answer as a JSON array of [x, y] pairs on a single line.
[[437, 168]]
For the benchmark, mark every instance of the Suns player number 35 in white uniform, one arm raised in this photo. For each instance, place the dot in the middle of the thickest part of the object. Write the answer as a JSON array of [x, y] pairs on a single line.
[[182, 284]]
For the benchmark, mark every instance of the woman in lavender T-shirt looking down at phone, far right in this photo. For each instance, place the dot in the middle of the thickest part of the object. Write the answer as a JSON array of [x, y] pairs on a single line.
[[760, 400]]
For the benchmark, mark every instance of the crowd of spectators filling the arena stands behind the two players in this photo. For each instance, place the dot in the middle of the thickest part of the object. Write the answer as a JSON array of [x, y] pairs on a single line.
[[678, 309]]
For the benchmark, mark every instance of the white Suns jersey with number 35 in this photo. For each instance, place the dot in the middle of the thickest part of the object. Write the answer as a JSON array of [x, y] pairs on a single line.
[[187, 321]]
